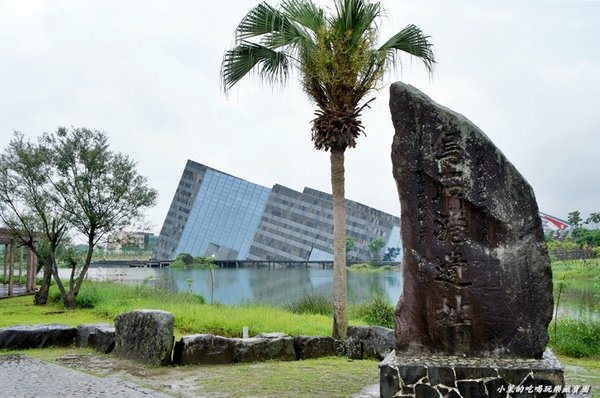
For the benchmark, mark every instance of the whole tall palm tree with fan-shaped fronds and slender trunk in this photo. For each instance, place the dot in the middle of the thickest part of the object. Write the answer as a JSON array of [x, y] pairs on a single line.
[[338, 63]]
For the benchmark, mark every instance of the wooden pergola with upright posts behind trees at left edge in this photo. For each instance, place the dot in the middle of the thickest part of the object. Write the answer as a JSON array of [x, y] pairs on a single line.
[[14, 252]]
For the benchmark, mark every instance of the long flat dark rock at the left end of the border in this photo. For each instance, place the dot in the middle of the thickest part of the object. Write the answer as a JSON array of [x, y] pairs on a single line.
[[36, 336]]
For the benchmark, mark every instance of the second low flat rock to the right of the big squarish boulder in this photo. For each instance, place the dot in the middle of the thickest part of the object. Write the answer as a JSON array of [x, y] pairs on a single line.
[[264, 349]]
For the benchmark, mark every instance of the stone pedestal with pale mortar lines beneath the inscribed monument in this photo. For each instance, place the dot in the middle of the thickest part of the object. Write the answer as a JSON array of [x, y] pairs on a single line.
[[431, 376]]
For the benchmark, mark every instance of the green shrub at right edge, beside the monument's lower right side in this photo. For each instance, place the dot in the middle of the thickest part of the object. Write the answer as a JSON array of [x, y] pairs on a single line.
[[576, 338]]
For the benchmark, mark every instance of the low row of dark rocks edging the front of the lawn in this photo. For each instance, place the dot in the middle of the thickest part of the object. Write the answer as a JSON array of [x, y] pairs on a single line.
[[363, 342]]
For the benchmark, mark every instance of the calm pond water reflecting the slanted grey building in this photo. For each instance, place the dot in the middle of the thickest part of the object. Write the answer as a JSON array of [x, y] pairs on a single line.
[[282, 286]]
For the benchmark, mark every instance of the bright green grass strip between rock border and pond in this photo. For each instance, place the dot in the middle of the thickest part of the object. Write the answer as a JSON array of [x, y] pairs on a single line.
[[191, 315]]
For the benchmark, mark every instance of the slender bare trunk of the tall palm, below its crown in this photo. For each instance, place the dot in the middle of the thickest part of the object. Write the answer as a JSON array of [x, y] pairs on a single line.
[[340, 302]]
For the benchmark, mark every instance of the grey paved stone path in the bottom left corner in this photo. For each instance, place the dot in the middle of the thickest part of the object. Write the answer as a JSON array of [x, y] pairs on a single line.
[[25, 377]]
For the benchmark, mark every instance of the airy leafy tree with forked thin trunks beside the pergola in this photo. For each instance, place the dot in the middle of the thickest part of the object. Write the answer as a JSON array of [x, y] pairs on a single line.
[[77, 183]]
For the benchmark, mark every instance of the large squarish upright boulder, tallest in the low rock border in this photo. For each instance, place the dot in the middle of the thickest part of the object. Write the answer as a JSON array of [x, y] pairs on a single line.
[[145, 336]]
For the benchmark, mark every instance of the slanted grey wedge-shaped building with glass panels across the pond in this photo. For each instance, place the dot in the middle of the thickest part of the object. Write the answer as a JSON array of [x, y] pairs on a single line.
[[214, 213]]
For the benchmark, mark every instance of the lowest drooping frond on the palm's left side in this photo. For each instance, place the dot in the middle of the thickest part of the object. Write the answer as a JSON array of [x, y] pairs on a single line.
[[237, 62]]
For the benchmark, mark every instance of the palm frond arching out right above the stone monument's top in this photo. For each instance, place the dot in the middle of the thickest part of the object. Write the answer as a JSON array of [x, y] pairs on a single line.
[[412, 41]]
